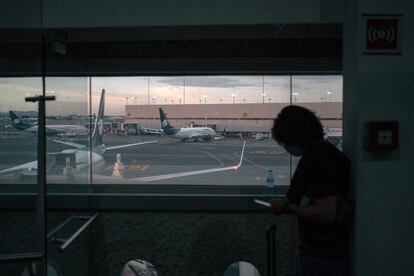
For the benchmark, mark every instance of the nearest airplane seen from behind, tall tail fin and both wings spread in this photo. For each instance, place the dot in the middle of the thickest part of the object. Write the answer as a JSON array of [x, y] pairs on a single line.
[[82, 157]]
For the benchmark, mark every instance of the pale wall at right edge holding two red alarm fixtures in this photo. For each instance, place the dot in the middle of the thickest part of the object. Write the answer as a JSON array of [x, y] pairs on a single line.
[[380, 87]]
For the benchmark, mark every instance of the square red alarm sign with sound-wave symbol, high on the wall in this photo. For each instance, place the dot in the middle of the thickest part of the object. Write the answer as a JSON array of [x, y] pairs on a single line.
[[382, 34]]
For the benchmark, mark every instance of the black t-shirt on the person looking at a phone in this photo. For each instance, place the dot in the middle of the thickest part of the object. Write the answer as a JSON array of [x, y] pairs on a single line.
[[322, 171]]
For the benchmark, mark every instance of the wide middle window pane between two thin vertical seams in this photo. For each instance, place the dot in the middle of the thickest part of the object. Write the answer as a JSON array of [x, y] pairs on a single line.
[[200, 139]]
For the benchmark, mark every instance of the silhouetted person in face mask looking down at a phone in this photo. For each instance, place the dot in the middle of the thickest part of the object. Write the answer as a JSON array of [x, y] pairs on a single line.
[[317, 194]]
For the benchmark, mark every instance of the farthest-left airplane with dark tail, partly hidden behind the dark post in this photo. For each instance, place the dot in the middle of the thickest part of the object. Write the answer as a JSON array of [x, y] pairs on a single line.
[[70, 130]]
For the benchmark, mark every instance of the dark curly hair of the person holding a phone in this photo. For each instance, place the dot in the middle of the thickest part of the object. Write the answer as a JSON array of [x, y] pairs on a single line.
[[296, 125]]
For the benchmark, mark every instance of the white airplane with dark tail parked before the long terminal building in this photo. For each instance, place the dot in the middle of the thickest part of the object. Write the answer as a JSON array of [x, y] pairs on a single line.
[[195, 133]]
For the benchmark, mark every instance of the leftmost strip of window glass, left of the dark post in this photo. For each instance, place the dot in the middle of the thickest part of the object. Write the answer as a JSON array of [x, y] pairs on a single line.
[[18, 129]]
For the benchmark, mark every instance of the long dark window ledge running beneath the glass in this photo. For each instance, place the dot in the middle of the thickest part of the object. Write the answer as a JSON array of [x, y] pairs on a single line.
[[140, 198]]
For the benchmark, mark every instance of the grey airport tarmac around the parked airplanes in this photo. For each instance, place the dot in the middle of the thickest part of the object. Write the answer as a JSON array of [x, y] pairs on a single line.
[[168, 156]]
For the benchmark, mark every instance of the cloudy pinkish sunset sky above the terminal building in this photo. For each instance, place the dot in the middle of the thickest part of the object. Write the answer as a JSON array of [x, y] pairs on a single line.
[[169, 90]]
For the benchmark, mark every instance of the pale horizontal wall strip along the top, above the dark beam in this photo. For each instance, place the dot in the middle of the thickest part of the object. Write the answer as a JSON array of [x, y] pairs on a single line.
[[110, 13]]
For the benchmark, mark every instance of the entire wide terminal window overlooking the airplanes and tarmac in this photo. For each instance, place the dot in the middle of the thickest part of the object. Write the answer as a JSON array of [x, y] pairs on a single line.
[[169, 130]]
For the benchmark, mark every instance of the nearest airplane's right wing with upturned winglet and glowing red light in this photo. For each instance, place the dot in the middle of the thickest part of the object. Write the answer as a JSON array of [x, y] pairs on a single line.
[[174, 175]]
